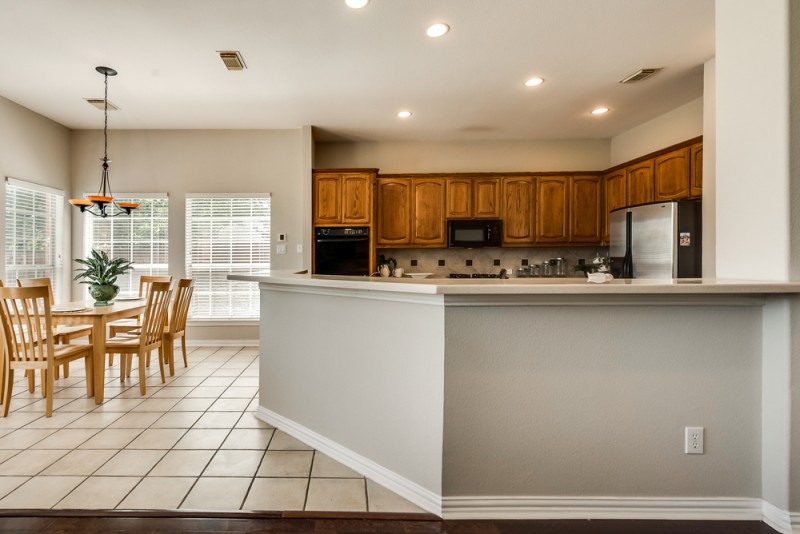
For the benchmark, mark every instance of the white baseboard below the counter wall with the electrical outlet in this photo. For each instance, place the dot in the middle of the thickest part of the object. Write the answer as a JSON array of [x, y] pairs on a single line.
[[690, 508]]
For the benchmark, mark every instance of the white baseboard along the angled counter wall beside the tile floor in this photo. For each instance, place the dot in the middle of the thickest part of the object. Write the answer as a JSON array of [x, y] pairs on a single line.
[[411, 491]]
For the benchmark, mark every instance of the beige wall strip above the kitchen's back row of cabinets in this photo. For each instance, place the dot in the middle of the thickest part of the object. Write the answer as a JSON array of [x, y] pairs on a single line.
[[488, 156]]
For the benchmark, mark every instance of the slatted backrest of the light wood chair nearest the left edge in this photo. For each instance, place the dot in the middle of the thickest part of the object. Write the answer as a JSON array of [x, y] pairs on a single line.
[[27, 324]]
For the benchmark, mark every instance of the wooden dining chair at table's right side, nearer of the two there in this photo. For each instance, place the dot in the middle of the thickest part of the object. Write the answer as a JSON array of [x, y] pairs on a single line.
[[150, 336]]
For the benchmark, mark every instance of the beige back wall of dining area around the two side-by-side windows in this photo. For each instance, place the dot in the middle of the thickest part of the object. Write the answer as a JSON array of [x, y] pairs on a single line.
[[199, 161]]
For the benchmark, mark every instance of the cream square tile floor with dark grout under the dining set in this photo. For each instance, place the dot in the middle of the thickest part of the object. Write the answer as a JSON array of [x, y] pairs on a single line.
[[192, 443]]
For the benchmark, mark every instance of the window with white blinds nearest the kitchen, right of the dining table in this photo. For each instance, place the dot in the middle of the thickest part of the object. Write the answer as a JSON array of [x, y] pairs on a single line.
[[226, 234]]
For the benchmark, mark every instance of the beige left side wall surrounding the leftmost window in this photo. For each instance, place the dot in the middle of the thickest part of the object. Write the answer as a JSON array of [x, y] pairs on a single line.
[[35, 149]]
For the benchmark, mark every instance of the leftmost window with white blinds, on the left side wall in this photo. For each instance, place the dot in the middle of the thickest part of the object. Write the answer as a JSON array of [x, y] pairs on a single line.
[[33, 233]]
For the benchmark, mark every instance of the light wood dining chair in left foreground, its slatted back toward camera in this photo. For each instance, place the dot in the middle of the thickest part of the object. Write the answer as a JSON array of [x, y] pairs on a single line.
[[28, 333]]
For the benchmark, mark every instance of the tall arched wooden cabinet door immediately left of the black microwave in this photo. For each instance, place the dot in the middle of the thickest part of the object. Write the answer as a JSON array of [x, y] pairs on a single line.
[[428, 213]]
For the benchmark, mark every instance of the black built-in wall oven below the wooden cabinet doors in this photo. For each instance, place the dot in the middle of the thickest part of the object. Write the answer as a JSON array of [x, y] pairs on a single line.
[[342, 250]]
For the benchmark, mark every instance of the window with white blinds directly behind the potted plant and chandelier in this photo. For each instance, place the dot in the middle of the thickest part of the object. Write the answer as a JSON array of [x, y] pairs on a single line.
[[141, 238]]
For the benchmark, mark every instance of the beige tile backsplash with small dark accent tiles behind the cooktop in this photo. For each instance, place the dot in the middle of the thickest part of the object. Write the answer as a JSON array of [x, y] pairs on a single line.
[[443, 261]]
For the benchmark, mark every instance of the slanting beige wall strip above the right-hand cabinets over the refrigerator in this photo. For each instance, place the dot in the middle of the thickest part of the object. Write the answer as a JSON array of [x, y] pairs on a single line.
[[678, 125]]
